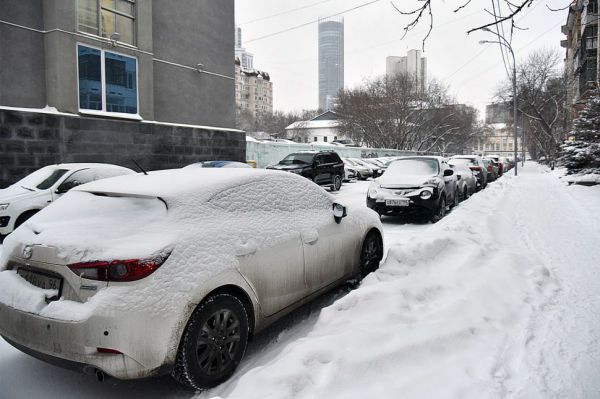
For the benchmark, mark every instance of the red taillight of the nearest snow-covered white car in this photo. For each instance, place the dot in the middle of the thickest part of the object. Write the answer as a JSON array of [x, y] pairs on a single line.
[[118, 270]]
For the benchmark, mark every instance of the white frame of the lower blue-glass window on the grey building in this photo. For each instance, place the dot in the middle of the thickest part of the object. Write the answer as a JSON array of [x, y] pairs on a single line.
[[103, 111]]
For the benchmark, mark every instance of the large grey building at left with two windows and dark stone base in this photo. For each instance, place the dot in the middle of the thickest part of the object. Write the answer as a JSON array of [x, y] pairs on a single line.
[[130, 62]]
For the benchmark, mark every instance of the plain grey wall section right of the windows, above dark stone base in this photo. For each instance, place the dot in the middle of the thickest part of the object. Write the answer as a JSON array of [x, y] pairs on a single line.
[[191, 32]]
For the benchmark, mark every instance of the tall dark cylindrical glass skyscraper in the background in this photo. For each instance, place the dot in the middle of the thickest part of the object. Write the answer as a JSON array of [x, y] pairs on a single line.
[[331, 61]]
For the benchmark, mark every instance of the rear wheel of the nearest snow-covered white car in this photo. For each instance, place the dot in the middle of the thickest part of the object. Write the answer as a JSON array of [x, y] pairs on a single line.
[[213, 343]]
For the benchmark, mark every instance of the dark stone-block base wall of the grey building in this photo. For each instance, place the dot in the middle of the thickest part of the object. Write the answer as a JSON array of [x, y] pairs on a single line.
[[29, 141]]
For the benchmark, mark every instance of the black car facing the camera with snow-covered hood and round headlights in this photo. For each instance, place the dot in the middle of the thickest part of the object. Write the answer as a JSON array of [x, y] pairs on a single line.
[[424, 185]]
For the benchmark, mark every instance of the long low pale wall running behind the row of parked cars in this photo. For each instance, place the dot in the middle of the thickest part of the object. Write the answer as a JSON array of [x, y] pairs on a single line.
[[266, 154]]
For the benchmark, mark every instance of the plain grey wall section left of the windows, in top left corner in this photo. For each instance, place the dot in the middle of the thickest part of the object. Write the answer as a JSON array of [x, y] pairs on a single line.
[[22, 79]]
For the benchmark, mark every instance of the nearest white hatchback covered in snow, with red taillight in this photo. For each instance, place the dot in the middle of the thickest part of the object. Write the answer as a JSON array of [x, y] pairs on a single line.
[[172, 272]]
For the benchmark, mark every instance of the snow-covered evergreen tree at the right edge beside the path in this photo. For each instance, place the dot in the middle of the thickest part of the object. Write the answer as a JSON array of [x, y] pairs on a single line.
[[581, 155]]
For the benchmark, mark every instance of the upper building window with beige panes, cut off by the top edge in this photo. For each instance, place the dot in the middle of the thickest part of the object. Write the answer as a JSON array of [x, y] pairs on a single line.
[[105, 17]]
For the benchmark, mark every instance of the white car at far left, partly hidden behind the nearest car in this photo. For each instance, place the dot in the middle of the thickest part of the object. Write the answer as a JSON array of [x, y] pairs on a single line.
[[36, 191]]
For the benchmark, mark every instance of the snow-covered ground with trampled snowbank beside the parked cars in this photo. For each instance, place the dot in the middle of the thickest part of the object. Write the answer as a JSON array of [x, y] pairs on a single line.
[[500, 299]]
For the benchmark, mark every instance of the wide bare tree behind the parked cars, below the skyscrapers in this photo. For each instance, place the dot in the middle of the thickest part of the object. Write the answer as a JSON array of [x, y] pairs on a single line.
[[393, 112]]
